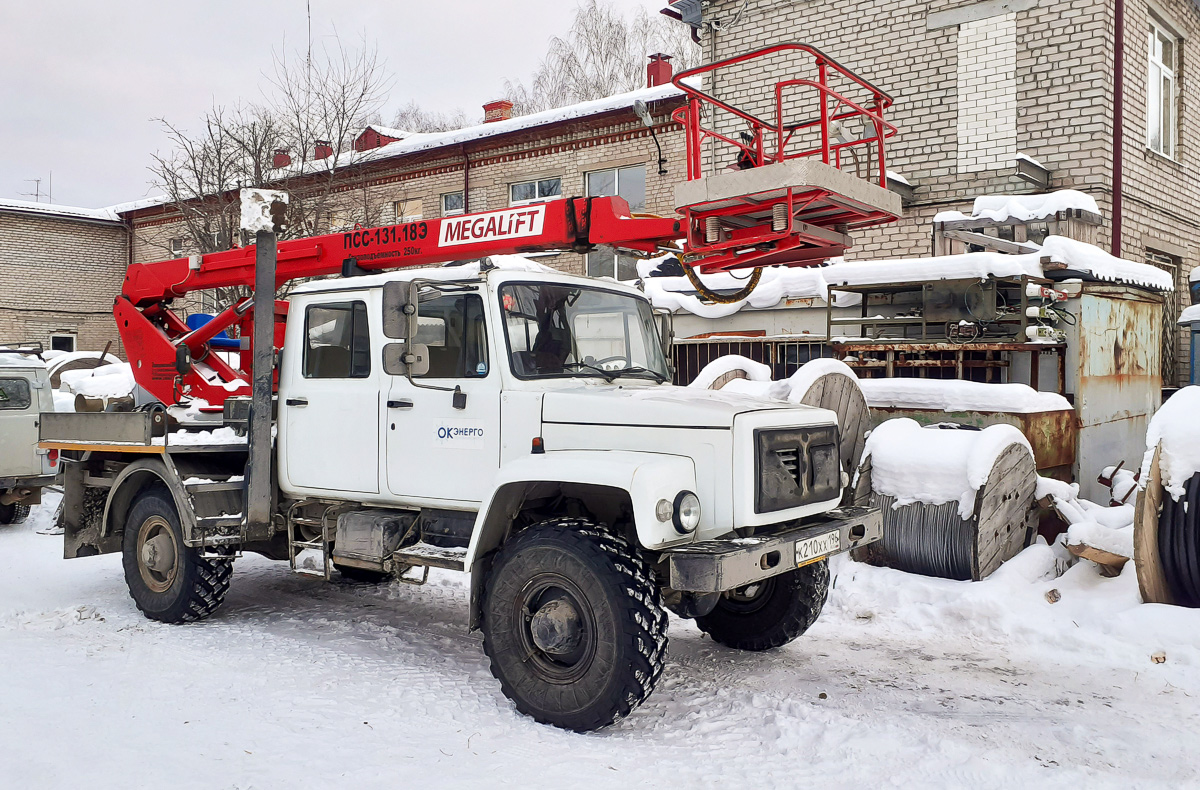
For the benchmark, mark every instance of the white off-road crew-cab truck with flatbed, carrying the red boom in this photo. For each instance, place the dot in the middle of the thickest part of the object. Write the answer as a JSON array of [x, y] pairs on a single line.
[[515, 426]]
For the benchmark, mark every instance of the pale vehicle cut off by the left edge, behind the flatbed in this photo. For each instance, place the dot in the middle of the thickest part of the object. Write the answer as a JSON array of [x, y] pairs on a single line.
[[25, 396]]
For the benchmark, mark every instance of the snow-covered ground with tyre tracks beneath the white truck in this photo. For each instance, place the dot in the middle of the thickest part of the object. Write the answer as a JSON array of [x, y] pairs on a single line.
[[296, 684]]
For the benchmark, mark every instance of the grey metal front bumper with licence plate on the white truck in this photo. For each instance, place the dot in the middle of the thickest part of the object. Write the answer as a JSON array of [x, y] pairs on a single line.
[[728, 564]]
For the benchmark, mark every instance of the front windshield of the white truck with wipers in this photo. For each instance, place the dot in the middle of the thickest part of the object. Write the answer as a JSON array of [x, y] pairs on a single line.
[[557, 331]]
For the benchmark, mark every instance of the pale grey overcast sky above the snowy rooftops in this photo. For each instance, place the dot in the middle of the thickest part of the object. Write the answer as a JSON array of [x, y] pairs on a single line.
[[81, 81]]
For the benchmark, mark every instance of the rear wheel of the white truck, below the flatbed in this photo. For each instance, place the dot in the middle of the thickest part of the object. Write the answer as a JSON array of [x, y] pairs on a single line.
[[175, 584]]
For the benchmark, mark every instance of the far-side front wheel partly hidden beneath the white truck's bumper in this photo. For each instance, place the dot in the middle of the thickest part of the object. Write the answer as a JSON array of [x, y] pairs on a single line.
[[772, 613]]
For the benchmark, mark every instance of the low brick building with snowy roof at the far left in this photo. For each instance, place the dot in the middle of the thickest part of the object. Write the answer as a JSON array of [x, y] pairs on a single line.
[[61, 268]]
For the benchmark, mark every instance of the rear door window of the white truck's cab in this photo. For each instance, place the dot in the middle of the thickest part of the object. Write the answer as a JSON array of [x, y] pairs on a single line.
[[338, 342]]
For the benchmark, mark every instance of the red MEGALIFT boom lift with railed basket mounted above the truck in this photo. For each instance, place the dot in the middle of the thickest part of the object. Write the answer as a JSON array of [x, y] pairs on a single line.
[[154, 336]]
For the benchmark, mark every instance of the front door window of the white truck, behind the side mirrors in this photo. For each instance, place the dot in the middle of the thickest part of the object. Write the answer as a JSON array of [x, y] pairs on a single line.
[[457, 334]]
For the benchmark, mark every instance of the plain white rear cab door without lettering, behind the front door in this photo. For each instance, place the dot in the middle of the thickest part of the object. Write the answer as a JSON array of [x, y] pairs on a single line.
[[329, 410]]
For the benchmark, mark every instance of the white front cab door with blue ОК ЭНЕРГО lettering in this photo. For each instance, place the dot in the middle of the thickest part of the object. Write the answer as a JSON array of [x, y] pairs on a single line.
[[436, 451]]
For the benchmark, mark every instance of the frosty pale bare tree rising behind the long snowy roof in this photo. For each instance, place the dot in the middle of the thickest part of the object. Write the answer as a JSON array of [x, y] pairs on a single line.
[[604, 53]]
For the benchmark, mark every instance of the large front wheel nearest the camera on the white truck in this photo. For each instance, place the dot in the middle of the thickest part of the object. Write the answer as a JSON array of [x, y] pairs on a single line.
[[608, 661]]
